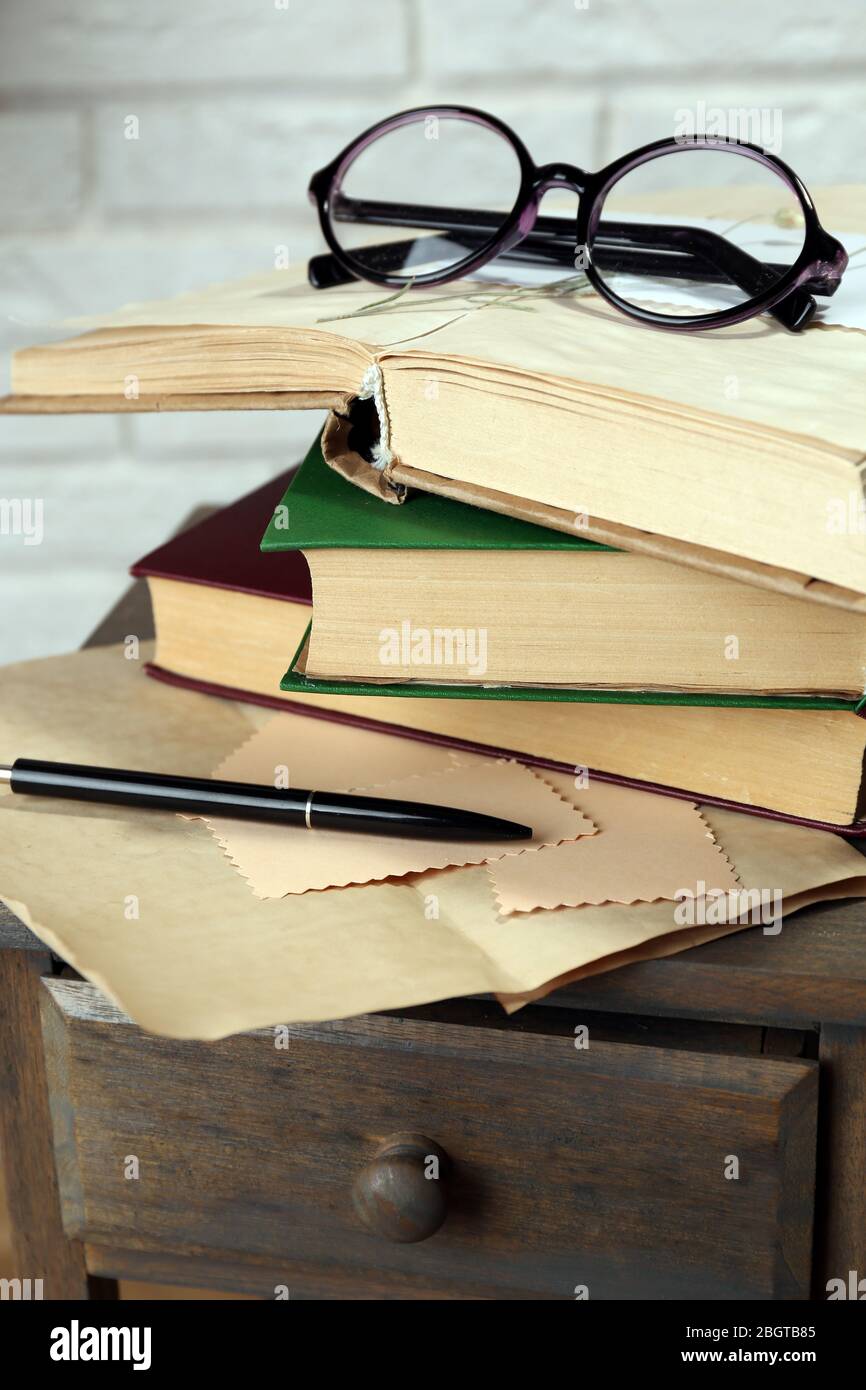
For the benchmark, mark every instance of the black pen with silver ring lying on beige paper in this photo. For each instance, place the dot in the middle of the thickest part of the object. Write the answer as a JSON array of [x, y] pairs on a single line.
[[245, 801]]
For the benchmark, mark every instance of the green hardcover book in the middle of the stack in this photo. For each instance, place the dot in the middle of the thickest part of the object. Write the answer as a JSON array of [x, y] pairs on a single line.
[[444, 594]]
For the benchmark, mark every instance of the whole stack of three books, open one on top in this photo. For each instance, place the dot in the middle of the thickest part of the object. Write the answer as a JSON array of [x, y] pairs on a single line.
[[547, 534]]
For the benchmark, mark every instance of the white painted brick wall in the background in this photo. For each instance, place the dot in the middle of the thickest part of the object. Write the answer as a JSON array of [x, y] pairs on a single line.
[[237, 104]]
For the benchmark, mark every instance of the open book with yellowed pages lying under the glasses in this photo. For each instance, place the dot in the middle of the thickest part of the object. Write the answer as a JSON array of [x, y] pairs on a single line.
[[740, 451]]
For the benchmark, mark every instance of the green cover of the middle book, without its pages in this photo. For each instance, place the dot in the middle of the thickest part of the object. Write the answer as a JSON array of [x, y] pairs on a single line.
[[323, 509]]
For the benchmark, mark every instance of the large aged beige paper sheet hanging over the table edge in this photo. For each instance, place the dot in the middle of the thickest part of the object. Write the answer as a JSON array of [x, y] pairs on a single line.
[[202, 958]]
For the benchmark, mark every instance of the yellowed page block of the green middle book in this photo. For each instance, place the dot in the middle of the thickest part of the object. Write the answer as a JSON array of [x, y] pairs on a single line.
[[568, 619]]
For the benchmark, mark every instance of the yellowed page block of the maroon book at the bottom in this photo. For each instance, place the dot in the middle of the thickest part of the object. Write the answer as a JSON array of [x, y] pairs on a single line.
[[801, 762]]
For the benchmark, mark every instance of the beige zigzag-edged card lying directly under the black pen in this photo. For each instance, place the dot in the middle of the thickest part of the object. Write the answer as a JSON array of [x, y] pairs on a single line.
[[277, 861]]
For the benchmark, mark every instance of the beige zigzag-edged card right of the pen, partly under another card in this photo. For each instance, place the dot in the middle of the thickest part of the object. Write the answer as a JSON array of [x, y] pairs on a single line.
[[648, 849]]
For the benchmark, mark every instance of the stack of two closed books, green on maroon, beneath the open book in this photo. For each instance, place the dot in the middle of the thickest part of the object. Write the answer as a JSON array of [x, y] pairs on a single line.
[[461, 626]]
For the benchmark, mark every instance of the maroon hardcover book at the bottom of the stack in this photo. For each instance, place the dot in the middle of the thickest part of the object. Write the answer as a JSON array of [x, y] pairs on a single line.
[[229, 618]]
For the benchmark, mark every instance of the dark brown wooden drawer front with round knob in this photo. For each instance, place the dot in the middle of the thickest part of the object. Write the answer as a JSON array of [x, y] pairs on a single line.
[[565, 1168]]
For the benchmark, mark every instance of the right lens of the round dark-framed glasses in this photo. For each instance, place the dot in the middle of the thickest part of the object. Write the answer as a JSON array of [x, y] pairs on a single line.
[[697, 231]]
